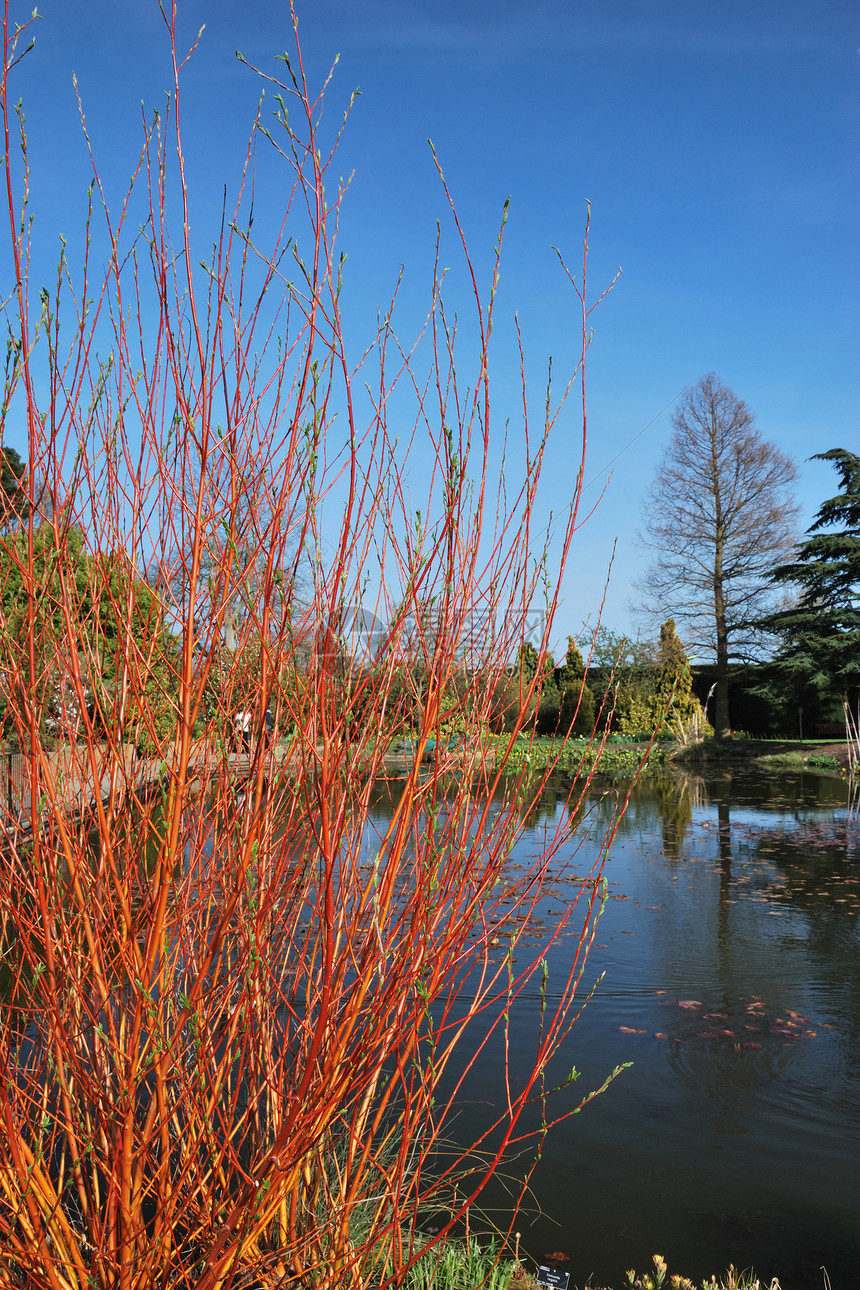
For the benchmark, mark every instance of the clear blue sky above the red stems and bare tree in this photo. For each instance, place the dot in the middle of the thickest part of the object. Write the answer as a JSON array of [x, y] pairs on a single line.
[[718, 144]]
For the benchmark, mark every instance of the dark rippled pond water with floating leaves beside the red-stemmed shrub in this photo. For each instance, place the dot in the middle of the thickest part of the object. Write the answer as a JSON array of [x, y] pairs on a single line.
[[730, 948]]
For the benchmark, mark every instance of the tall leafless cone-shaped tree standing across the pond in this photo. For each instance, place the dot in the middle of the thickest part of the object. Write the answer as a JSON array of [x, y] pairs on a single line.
[[720, 515]]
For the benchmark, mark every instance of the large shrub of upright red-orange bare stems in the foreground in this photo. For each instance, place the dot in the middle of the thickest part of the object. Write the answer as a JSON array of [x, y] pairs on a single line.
[[231, 1003]]
